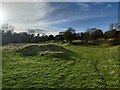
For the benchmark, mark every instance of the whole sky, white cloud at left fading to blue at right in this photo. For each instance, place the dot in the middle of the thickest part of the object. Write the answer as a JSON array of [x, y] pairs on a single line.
[[58, 16]]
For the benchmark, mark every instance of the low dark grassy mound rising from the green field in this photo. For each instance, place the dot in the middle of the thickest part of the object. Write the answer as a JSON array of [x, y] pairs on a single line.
[[43, 50]]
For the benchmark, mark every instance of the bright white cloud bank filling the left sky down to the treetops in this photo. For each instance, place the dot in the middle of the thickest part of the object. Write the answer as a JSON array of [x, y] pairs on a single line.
[[29, 15]]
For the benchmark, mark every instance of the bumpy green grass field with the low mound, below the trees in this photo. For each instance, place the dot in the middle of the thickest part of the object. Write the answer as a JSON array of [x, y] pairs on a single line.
[[66, 67]]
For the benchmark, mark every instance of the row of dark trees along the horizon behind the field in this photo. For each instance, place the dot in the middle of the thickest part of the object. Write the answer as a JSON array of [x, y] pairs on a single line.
[[92, 35]]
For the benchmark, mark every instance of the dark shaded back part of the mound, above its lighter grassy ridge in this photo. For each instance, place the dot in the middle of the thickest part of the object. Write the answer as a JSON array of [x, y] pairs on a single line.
[[34, 50]]
